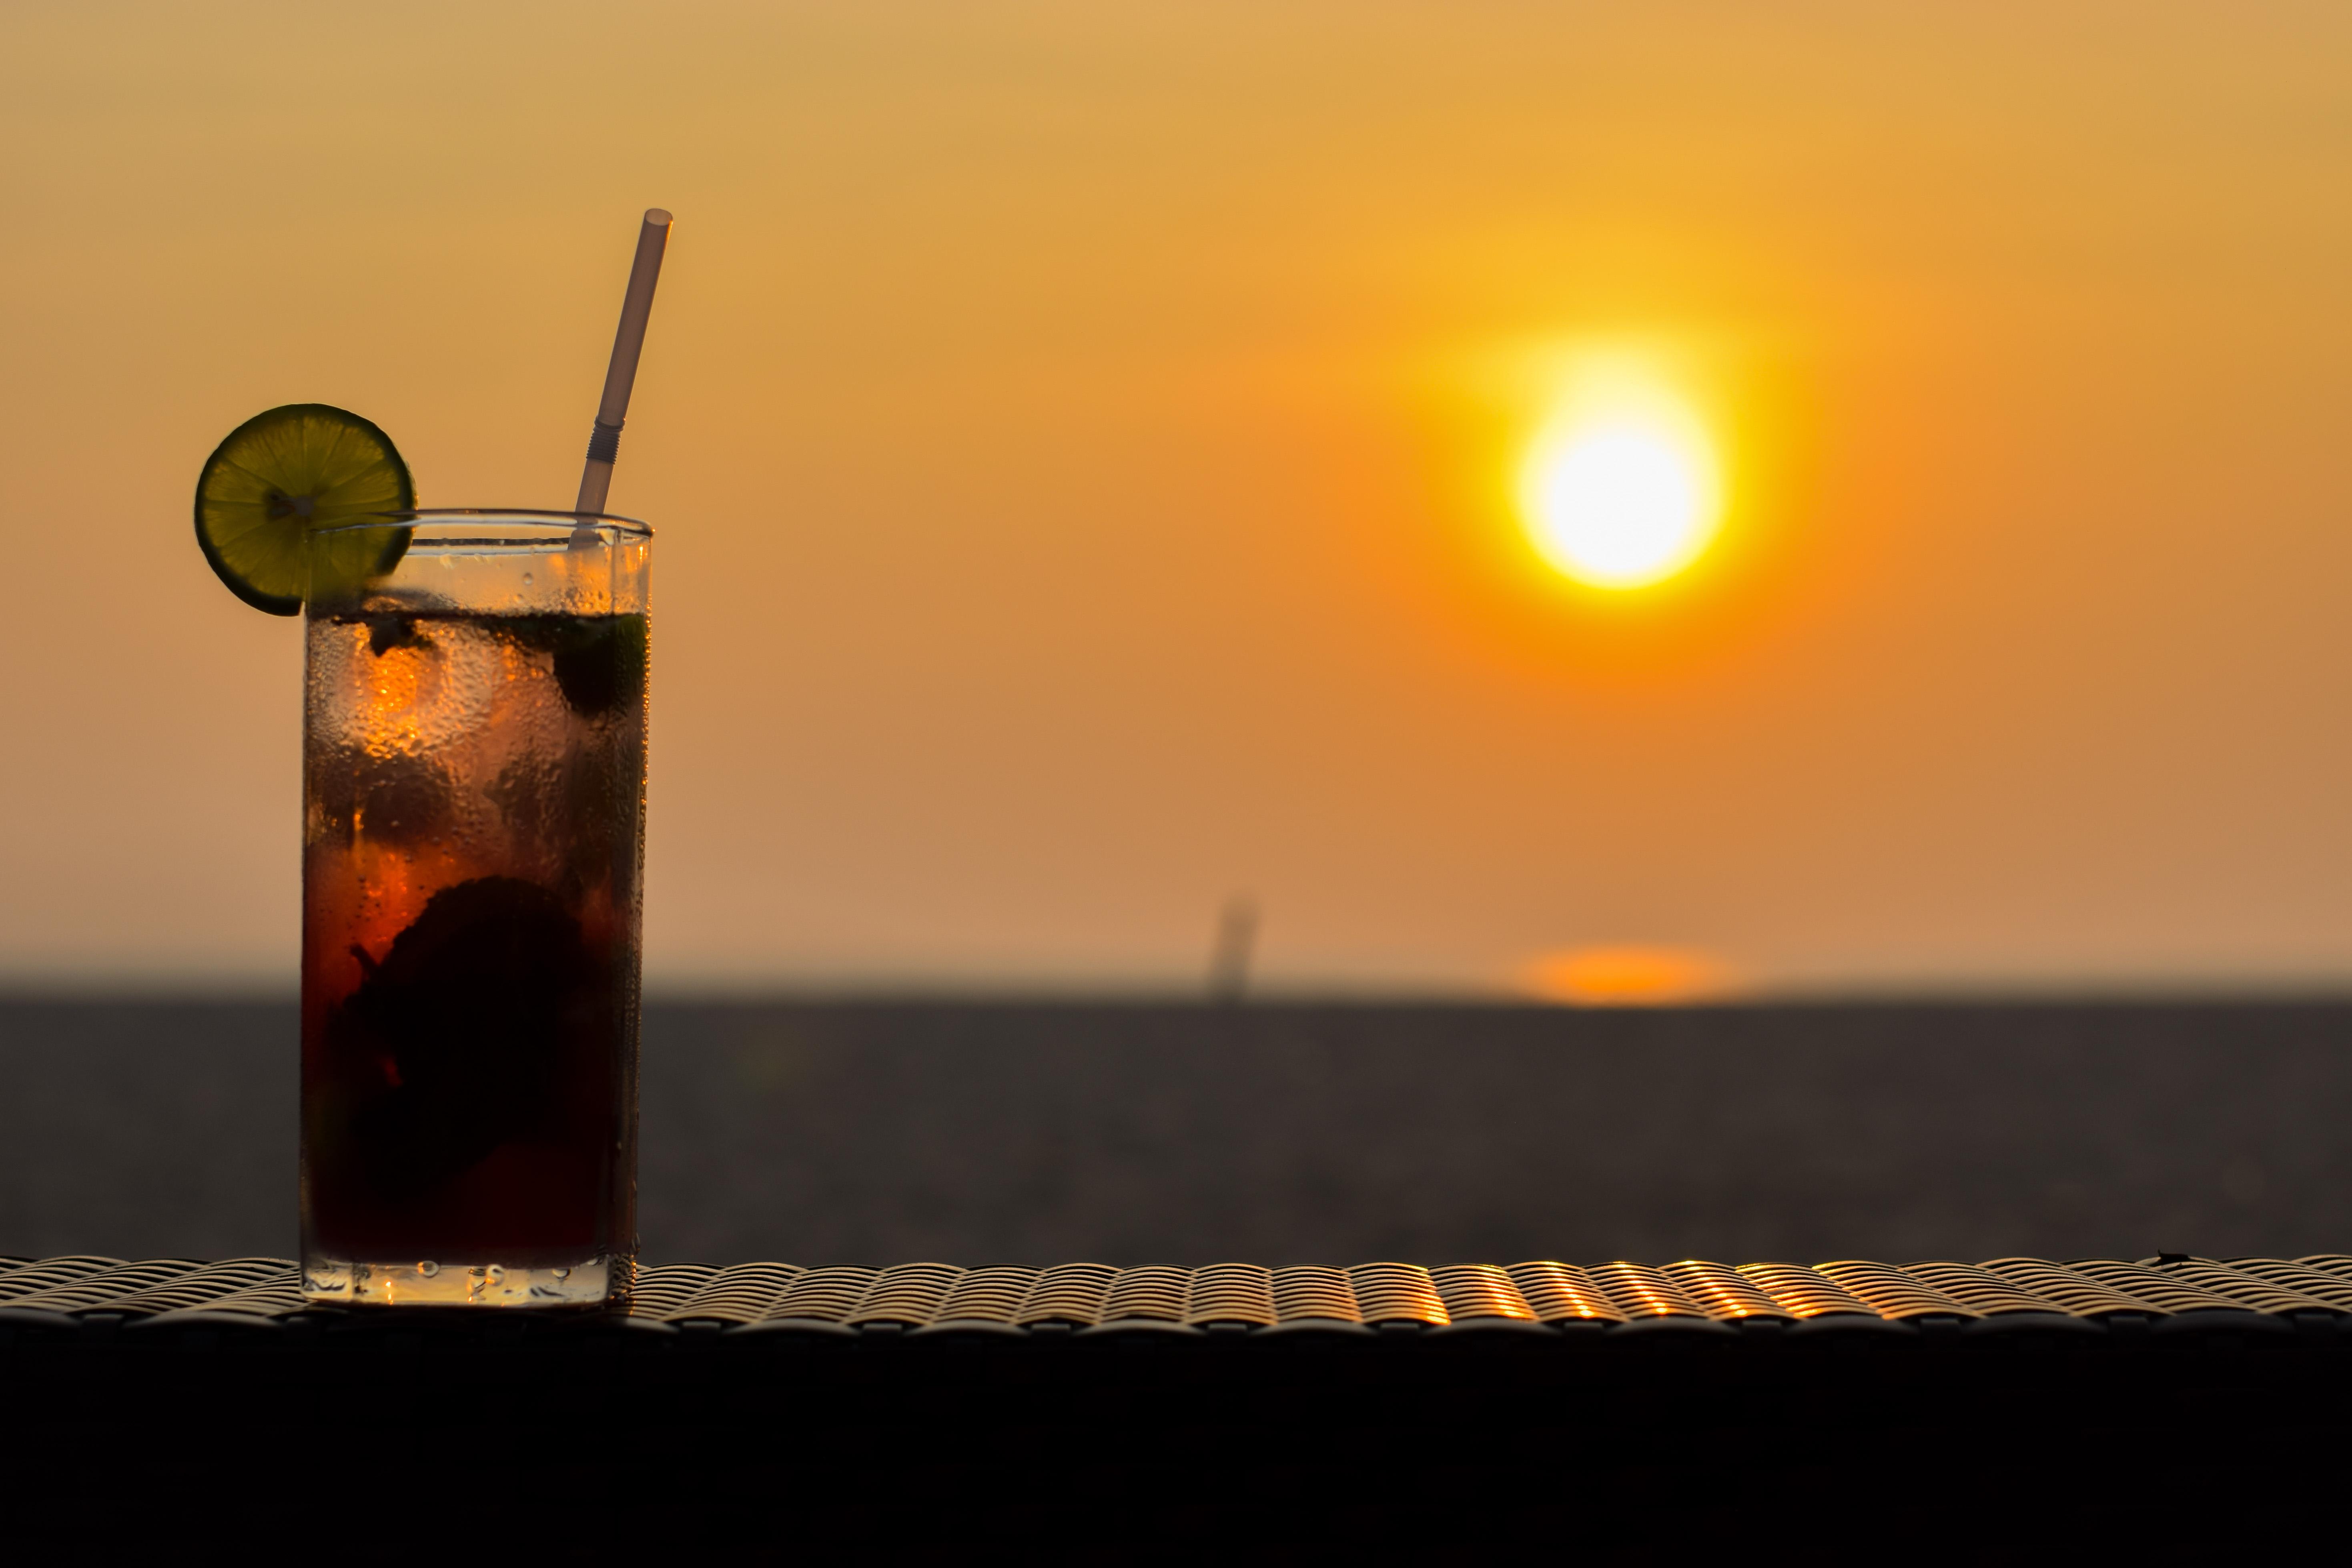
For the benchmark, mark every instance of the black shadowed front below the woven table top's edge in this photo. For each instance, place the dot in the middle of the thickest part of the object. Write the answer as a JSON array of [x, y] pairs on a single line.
[[380, 1442]]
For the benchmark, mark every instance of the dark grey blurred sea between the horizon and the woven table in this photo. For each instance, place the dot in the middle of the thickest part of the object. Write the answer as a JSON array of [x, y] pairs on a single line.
[[1295, 1134]]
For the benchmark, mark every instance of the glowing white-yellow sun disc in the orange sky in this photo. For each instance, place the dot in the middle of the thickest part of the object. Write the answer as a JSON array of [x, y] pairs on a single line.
[[1622, 488]]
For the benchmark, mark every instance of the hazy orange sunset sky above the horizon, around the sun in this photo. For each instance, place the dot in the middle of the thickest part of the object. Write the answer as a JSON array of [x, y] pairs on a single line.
[[1081, 445]]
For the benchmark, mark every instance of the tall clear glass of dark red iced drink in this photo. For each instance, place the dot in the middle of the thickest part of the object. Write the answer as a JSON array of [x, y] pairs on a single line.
[[474, 840]]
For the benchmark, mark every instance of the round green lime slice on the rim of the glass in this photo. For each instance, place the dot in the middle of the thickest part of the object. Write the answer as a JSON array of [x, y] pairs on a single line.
[[283, 476]]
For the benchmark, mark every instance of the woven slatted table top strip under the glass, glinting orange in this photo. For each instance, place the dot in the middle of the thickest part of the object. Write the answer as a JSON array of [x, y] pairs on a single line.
[[2167, 1294]]
